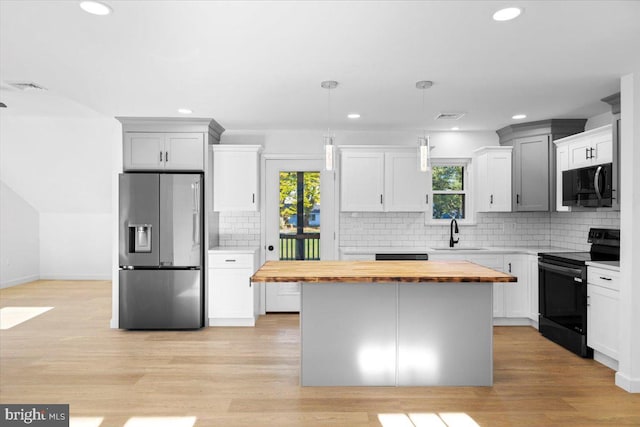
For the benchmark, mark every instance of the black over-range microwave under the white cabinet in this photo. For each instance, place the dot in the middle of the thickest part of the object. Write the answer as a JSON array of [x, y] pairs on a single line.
[[588, 187]]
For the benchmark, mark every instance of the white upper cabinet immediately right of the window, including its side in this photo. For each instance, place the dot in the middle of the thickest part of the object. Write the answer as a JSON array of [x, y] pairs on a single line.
[[493, 179]]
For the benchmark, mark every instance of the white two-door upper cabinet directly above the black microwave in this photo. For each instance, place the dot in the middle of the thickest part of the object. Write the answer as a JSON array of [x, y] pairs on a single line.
[[589, 148]]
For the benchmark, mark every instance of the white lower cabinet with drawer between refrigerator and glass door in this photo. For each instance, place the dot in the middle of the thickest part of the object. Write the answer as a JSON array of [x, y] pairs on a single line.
[[232, 299]]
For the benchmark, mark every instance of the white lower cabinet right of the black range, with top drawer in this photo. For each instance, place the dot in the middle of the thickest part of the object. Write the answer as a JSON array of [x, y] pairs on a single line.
[[603, 300]]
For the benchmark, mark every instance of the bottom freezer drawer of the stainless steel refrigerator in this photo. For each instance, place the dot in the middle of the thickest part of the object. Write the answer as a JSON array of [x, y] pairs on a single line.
[[161, 299]]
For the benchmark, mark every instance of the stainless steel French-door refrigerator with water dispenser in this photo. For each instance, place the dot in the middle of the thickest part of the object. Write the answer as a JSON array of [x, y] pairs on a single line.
[[161, 226]]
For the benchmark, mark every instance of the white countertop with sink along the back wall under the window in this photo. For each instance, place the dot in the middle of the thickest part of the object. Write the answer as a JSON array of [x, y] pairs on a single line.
[[531, 250]]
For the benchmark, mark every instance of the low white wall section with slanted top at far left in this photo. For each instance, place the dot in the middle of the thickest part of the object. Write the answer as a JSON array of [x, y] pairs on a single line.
[[19, 245]]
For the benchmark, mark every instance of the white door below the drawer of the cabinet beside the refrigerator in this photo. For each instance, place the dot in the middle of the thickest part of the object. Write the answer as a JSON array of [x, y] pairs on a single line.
[[230, 296]]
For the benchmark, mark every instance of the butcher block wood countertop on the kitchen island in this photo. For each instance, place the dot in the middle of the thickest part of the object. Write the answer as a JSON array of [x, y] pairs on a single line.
[[377, 271]]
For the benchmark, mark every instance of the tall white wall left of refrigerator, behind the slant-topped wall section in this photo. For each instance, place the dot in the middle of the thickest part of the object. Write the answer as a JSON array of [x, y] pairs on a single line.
[[62, 166]]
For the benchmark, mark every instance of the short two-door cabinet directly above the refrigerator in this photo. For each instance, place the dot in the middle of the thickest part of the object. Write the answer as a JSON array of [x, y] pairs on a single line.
[[163, 151]]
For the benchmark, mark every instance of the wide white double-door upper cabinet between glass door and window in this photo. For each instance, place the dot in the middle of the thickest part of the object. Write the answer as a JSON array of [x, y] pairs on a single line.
[[377, 180]]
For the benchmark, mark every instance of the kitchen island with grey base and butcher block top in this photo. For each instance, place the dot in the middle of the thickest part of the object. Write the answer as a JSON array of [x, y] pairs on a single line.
[[392, 323]]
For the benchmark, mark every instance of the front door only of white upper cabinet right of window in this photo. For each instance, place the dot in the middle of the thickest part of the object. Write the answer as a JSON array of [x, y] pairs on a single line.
[[499, 181]]
